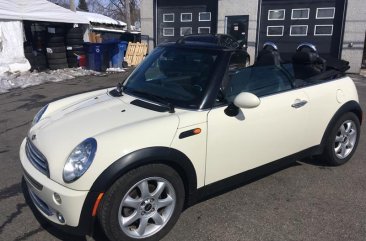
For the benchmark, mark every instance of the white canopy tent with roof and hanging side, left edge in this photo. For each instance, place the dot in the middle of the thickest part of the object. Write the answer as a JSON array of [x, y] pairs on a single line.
[[12, 14]]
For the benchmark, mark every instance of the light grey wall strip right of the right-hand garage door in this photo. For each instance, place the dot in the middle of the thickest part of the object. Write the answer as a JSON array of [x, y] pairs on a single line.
[[354, 34]]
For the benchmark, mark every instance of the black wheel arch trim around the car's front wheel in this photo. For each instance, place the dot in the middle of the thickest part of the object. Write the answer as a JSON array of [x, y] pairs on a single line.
[[162, 155]]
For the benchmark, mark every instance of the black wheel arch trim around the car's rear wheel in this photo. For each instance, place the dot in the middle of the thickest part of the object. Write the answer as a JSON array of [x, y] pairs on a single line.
[[350, 106]]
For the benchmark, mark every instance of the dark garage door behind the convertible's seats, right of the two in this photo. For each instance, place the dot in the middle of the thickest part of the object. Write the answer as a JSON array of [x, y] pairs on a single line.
[[291, 22]]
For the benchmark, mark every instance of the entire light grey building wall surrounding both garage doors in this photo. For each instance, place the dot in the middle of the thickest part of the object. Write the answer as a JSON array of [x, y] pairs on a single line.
[[354, 32]]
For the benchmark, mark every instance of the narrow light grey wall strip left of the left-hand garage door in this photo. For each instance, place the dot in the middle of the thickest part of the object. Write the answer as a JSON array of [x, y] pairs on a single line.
[[147, 21]]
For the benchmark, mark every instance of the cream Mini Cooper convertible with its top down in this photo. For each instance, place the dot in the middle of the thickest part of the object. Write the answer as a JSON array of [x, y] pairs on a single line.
[[191, 119]]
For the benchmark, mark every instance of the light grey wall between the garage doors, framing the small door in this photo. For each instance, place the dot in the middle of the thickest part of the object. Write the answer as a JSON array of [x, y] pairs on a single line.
[[240, 7]]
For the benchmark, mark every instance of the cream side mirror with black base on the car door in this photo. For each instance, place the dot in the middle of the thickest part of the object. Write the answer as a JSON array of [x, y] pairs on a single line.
[[242, 100]]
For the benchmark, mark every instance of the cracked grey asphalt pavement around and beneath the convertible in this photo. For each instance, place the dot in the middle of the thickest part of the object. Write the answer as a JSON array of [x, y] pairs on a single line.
[[304, 201]]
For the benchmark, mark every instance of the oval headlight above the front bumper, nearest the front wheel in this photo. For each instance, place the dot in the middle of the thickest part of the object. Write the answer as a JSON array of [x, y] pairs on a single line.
[[79, 160]]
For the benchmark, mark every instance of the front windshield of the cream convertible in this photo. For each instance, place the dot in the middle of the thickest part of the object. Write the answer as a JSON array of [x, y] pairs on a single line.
[[174, 76]]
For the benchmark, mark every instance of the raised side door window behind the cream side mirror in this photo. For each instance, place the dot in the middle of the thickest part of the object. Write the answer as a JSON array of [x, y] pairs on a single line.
[[259, 80]]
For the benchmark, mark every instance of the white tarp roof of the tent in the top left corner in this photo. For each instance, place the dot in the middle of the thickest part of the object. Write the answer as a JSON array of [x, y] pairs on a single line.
[[38, 10]]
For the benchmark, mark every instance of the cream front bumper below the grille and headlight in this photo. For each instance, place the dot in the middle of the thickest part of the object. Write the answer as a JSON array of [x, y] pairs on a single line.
[[42, 194]]
